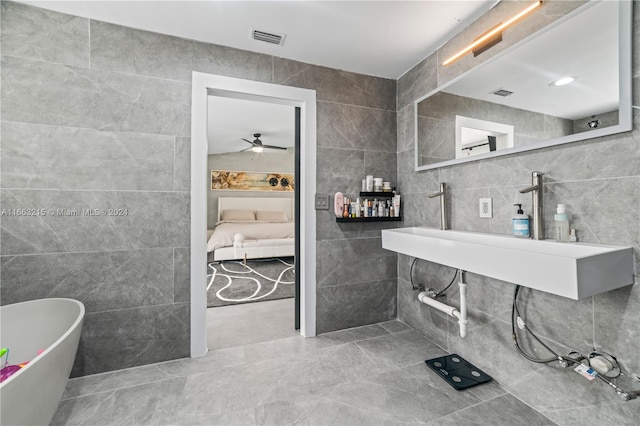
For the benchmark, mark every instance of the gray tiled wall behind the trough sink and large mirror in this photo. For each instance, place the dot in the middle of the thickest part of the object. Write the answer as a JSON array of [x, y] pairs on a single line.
[[599, 181]]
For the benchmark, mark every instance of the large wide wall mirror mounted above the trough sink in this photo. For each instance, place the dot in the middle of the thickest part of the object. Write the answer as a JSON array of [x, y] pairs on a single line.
[[516, 102]]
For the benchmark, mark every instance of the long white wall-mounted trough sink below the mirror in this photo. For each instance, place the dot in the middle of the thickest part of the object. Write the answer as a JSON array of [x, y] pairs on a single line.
[[573, 270]]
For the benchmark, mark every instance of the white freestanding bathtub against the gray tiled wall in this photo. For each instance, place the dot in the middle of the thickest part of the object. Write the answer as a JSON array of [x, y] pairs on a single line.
[[31, 396]]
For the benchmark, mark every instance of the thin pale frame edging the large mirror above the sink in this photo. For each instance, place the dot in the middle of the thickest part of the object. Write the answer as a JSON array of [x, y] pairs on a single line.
[[625, 120]]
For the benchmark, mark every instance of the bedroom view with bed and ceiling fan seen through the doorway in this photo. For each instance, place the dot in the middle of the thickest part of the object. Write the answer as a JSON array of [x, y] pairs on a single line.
[[253, 289]]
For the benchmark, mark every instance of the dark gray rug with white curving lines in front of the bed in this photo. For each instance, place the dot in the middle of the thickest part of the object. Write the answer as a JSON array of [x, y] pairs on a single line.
[[232, 283]]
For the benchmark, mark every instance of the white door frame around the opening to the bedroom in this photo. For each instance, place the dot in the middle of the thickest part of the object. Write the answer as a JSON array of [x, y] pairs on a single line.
[[204, 85]]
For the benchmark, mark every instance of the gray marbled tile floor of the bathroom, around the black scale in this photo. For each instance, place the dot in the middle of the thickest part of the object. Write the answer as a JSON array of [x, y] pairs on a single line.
[[371, 375]]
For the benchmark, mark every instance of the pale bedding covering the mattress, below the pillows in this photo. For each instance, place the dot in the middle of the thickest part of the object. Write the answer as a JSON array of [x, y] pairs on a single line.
[[224, 233]]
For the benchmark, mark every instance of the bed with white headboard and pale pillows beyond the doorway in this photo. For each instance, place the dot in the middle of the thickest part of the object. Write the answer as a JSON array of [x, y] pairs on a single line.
[[252, 228]]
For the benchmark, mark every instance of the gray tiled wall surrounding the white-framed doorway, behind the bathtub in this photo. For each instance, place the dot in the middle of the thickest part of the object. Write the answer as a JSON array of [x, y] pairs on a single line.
[[97, 116]]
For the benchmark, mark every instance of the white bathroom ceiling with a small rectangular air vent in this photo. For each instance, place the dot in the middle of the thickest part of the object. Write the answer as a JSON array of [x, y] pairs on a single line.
[[379, 38]]
